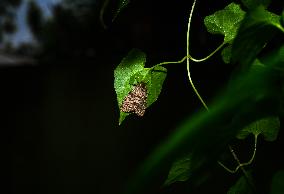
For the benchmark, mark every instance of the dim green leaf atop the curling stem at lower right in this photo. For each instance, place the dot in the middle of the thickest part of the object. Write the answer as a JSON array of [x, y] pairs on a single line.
[[268, 127]]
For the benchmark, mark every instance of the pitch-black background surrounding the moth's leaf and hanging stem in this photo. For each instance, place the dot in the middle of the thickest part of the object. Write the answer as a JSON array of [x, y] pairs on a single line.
[[61, 116]]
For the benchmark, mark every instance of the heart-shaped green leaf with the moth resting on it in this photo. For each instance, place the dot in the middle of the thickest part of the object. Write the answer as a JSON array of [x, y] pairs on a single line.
[[128, 75]]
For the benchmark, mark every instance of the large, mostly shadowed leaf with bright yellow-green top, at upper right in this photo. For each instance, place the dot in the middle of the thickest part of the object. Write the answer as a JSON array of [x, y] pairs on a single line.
[[257, 29]]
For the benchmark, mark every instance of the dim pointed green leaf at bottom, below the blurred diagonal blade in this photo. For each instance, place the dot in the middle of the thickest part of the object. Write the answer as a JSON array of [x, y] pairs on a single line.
[[180, 171]]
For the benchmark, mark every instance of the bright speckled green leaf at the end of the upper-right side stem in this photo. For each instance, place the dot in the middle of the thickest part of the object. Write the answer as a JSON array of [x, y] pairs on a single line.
[[225, 22]]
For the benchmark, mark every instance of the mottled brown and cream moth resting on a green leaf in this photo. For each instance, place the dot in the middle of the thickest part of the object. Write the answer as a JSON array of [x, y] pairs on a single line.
[[136, 100]]
